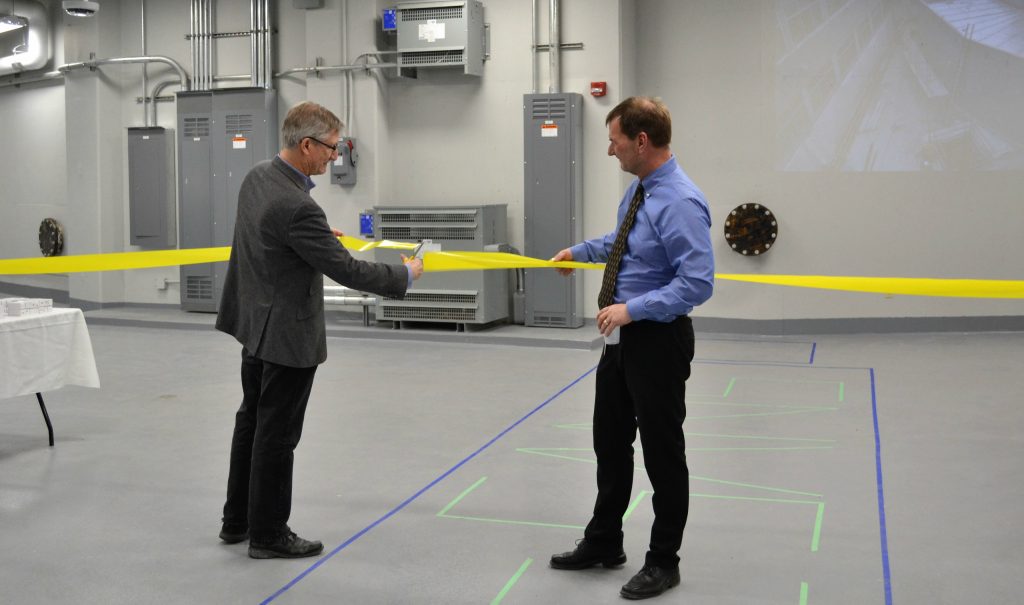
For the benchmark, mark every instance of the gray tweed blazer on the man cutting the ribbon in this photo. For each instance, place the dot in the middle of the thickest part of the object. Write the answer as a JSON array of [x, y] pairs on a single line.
[[273, 300]]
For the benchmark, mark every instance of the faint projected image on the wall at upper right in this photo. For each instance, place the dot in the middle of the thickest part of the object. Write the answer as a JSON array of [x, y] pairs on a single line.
[[900, 85]]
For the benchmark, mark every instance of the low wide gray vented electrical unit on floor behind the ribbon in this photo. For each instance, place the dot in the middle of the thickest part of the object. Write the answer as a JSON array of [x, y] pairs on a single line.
[[455, 297]]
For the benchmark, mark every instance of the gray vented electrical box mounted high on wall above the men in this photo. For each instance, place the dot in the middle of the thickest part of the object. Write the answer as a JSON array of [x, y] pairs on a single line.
[[442, 35]]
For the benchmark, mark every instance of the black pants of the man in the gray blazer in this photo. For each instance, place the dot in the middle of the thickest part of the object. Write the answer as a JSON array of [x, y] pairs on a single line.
[[268, 427]]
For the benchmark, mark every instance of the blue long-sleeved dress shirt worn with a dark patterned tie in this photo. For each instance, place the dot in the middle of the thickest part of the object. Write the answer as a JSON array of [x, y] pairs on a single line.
[[669, 267]]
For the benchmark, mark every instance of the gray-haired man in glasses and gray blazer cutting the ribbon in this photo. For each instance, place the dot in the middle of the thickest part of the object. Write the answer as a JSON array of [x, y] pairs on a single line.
[[274, 305]]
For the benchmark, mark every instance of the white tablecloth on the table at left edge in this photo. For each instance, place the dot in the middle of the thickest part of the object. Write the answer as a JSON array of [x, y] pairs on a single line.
[[40, 354]]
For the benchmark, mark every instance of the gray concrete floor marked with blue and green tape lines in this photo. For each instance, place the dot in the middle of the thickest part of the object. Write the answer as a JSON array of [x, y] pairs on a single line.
[[825, 470]]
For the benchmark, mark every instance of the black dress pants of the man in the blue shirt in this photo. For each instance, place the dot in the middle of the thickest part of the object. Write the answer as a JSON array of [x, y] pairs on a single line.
[[642, 384]]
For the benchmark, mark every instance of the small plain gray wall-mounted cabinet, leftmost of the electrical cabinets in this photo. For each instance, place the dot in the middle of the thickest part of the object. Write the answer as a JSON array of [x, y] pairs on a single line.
[[151, 188]]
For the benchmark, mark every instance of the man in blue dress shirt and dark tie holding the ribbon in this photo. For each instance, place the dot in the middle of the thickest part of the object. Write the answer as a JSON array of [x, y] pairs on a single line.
[[666, 270]]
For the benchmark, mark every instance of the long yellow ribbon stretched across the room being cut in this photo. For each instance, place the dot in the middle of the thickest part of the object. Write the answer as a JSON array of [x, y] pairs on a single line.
[[463, 262]]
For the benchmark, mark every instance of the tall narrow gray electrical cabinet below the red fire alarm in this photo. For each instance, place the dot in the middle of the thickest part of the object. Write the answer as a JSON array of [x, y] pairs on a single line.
[[552, 204]]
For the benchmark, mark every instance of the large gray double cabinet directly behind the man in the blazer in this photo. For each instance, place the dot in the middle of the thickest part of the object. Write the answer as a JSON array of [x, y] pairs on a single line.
[[224, 134]]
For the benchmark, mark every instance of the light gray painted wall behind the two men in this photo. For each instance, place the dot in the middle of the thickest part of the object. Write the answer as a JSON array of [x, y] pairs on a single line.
[[837, 116]]
